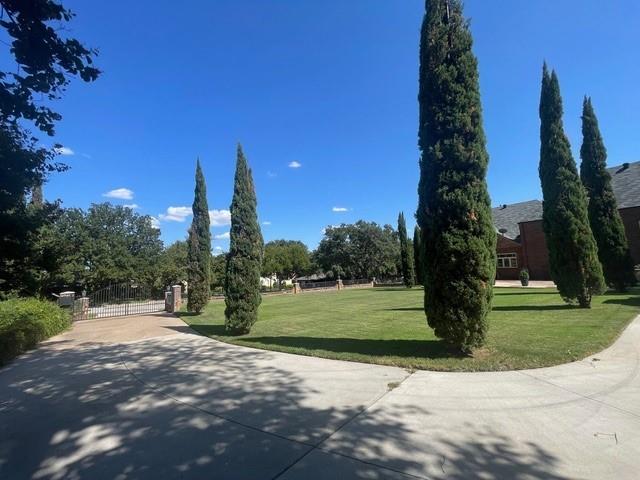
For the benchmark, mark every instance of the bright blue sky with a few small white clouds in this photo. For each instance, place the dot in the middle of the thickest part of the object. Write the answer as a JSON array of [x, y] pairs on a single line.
[[331, 86]]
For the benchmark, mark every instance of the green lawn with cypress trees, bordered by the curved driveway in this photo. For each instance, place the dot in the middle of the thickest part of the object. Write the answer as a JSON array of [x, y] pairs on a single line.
[[528, 328]]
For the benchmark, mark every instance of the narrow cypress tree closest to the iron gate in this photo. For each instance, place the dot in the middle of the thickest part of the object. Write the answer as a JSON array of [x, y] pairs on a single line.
[[199, 244]]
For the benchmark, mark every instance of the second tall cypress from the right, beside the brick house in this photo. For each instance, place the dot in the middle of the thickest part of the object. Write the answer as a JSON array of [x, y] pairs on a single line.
[[573, 254]]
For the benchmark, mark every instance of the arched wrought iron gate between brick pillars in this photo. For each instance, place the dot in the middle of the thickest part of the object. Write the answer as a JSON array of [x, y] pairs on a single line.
[[119, 300]]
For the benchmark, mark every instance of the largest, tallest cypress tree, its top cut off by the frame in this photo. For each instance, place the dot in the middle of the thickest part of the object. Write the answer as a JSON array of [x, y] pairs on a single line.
[[454, 211]]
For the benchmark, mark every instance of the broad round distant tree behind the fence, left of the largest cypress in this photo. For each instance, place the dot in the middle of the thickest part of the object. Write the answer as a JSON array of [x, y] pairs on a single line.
[[359, 250]]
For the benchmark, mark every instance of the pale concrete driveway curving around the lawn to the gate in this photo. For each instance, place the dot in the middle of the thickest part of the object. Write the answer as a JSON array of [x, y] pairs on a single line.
[[93, 404]]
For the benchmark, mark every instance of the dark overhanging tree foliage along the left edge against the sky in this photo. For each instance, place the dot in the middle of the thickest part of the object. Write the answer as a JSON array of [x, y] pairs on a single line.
[[40, 63]]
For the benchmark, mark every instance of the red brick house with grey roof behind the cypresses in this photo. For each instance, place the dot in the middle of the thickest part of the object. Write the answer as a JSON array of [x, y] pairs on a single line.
[[521, 242]]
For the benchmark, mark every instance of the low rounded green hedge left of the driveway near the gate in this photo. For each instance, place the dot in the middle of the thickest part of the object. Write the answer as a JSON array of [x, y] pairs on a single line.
[[26, 321]]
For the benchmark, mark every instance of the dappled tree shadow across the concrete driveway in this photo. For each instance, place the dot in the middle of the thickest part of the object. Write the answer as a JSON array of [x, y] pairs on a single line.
[[187, 407]]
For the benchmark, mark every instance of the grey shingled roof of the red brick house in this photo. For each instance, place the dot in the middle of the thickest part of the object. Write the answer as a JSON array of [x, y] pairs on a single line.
[[625, 180]]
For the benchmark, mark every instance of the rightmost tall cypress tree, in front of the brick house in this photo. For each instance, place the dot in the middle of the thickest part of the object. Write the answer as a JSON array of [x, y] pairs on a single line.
[[604, 218]]
